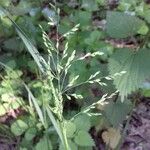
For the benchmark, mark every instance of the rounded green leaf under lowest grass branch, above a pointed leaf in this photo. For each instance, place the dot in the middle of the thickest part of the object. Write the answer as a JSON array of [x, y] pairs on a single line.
[[82, 122]]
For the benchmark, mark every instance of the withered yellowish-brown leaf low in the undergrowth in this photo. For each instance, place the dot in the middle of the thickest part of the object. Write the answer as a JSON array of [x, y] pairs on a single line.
[[111, 137]]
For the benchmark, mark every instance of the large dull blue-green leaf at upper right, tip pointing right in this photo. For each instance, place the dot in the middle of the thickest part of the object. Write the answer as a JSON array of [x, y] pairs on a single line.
[[122, 25]]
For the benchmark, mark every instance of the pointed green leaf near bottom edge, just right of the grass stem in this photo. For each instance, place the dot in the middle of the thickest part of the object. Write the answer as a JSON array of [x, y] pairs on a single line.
[[83, 138]]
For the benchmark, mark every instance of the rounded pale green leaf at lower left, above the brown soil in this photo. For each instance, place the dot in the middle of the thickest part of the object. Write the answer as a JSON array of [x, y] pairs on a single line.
[[19, 127]]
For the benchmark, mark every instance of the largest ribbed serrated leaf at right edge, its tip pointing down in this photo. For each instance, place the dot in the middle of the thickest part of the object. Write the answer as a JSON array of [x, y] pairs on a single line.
[[135, 64]]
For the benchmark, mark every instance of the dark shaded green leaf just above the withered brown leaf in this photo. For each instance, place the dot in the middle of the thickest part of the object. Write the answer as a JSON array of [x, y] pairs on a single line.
[[116, 112]]
